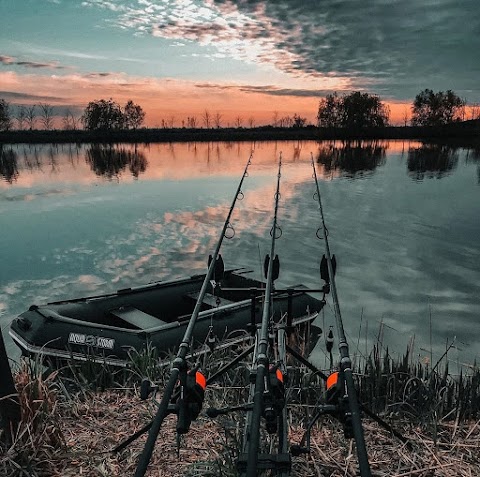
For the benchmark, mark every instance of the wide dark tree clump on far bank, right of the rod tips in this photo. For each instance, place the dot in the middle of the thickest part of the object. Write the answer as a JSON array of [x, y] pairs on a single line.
[[356, 110]]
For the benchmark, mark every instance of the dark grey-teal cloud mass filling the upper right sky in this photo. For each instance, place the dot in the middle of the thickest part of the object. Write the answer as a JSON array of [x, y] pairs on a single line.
[[396, 46]]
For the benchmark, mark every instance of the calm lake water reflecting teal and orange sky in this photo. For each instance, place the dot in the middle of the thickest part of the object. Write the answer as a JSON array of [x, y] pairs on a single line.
[[403, 221]]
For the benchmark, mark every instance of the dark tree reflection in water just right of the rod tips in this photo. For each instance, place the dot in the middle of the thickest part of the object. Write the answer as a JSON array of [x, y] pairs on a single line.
[[351, 159]]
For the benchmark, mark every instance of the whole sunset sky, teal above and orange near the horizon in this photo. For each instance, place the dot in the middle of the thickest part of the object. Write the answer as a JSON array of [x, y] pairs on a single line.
[[245, 59]]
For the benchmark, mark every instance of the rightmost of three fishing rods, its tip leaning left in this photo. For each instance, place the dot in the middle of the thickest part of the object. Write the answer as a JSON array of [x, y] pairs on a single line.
[[345, 362]]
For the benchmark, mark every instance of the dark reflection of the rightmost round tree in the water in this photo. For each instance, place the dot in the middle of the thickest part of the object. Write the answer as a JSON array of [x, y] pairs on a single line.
[[431, 161]]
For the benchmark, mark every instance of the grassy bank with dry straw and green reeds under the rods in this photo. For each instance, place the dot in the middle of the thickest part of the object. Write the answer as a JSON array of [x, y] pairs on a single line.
[[71, 421]]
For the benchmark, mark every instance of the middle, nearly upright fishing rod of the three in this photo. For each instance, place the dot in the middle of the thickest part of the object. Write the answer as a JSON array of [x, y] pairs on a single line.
[[251, 443]]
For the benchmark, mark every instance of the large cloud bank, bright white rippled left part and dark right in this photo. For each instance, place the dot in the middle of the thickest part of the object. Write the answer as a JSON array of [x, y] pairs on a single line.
[[392, 47]]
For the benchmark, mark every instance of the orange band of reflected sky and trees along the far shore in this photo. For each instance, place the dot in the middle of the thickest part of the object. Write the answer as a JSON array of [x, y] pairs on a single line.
[[26, 165]]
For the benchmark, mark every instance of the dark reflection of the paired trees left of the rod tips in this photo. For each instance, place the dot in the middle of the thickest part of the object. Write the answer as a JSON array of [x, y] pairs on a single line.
[[110, 160]]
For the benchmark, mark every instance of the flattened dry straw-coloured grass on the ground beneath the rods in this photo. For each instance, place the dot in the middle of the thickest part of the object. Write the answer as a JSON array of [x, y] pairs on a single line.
[[92, 426]]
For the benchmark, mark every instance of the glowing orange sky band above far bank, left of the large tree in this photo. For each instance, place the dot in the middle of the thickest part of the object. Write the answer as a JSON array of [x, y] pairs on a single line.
[[162, 98]]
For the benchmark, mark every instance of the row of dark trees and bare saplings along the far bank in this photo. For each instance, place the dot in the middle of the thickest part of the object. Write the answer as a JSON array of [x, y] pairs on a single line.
[[355, 110]]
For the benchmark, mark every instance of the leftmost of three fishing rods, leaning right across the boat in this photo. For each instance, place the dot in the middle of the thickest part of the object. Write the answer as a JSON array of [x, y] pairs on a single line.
[[179, 365]]
